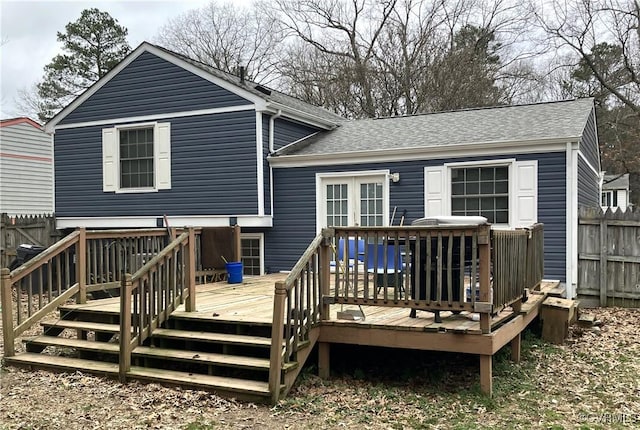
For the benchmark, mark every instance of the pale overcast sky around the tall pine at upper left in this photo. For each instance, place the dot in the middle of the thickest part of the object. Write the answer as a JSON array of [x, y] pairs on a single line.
[[28, 32]]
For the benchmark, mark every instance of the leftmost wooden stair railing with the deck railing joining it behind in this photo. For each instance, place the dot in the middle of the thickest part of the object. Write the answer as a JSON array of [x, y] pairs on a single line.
[[84, 262]]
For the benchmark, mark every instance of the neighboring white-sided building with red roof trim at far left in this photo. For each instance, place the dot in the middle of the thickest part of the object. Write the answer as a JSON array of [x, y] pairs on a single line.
[[26, 168]]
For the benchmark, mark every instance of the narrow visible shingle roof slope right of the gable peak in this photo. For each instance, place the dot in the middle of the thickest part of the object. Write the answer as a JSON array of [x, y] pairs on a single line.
[[273, 96]]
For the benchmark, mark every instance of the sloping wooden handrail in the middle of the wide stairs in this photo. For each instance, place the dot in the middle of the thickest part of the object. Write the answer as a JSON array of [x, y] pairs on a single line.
[[153, 292]]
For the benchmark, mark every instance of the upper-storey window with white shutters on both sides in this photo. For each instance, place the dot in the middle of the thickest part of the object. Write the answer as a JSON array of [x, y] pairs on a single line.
[[136, 158]]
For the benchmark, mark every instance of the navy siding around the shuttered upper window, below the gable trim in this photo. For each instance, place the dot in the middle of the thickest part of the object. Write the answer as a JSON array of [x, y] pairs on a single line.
[[213, 171]]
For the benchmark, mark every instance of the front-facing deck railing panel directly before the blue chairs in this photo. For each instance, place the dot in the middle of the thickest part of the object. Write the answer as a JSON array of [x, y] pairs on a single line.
[[435, 268]]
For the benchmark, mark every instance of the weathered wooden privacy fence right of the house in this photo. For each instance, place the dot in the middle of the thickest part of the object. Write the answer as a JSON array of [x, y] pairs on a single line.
[[609, 257]]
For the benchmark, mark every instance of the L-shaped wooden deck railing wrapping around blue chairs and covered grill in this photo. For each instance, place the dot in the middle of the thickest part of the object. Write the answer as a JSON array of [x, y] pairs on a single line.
[[435, 268]]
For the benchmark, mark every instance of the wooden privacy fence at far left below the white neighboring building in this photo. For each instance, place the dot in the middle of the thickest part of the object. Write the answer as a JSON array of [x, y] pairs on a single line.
[[35, 230]]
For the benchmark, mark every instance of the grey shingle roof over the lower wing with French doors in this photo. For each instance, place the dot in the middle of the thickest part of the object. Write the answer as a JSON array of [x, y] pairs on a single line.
[[553, 120]]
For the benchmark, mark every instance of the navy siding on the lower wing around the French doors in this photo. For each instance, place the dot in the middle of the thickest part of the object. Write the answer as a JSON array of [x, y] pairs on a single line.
[[294, 224]]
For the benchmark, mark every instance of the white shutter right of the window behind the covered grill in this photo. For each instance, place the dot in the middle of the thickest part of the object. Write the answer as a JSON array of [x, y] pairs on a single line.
[[525, 200]]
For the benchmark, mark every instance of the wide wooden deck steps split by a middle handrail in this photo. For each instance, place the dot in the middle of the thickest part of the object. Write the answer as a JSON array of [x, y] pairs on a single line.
[[229, 358]]
